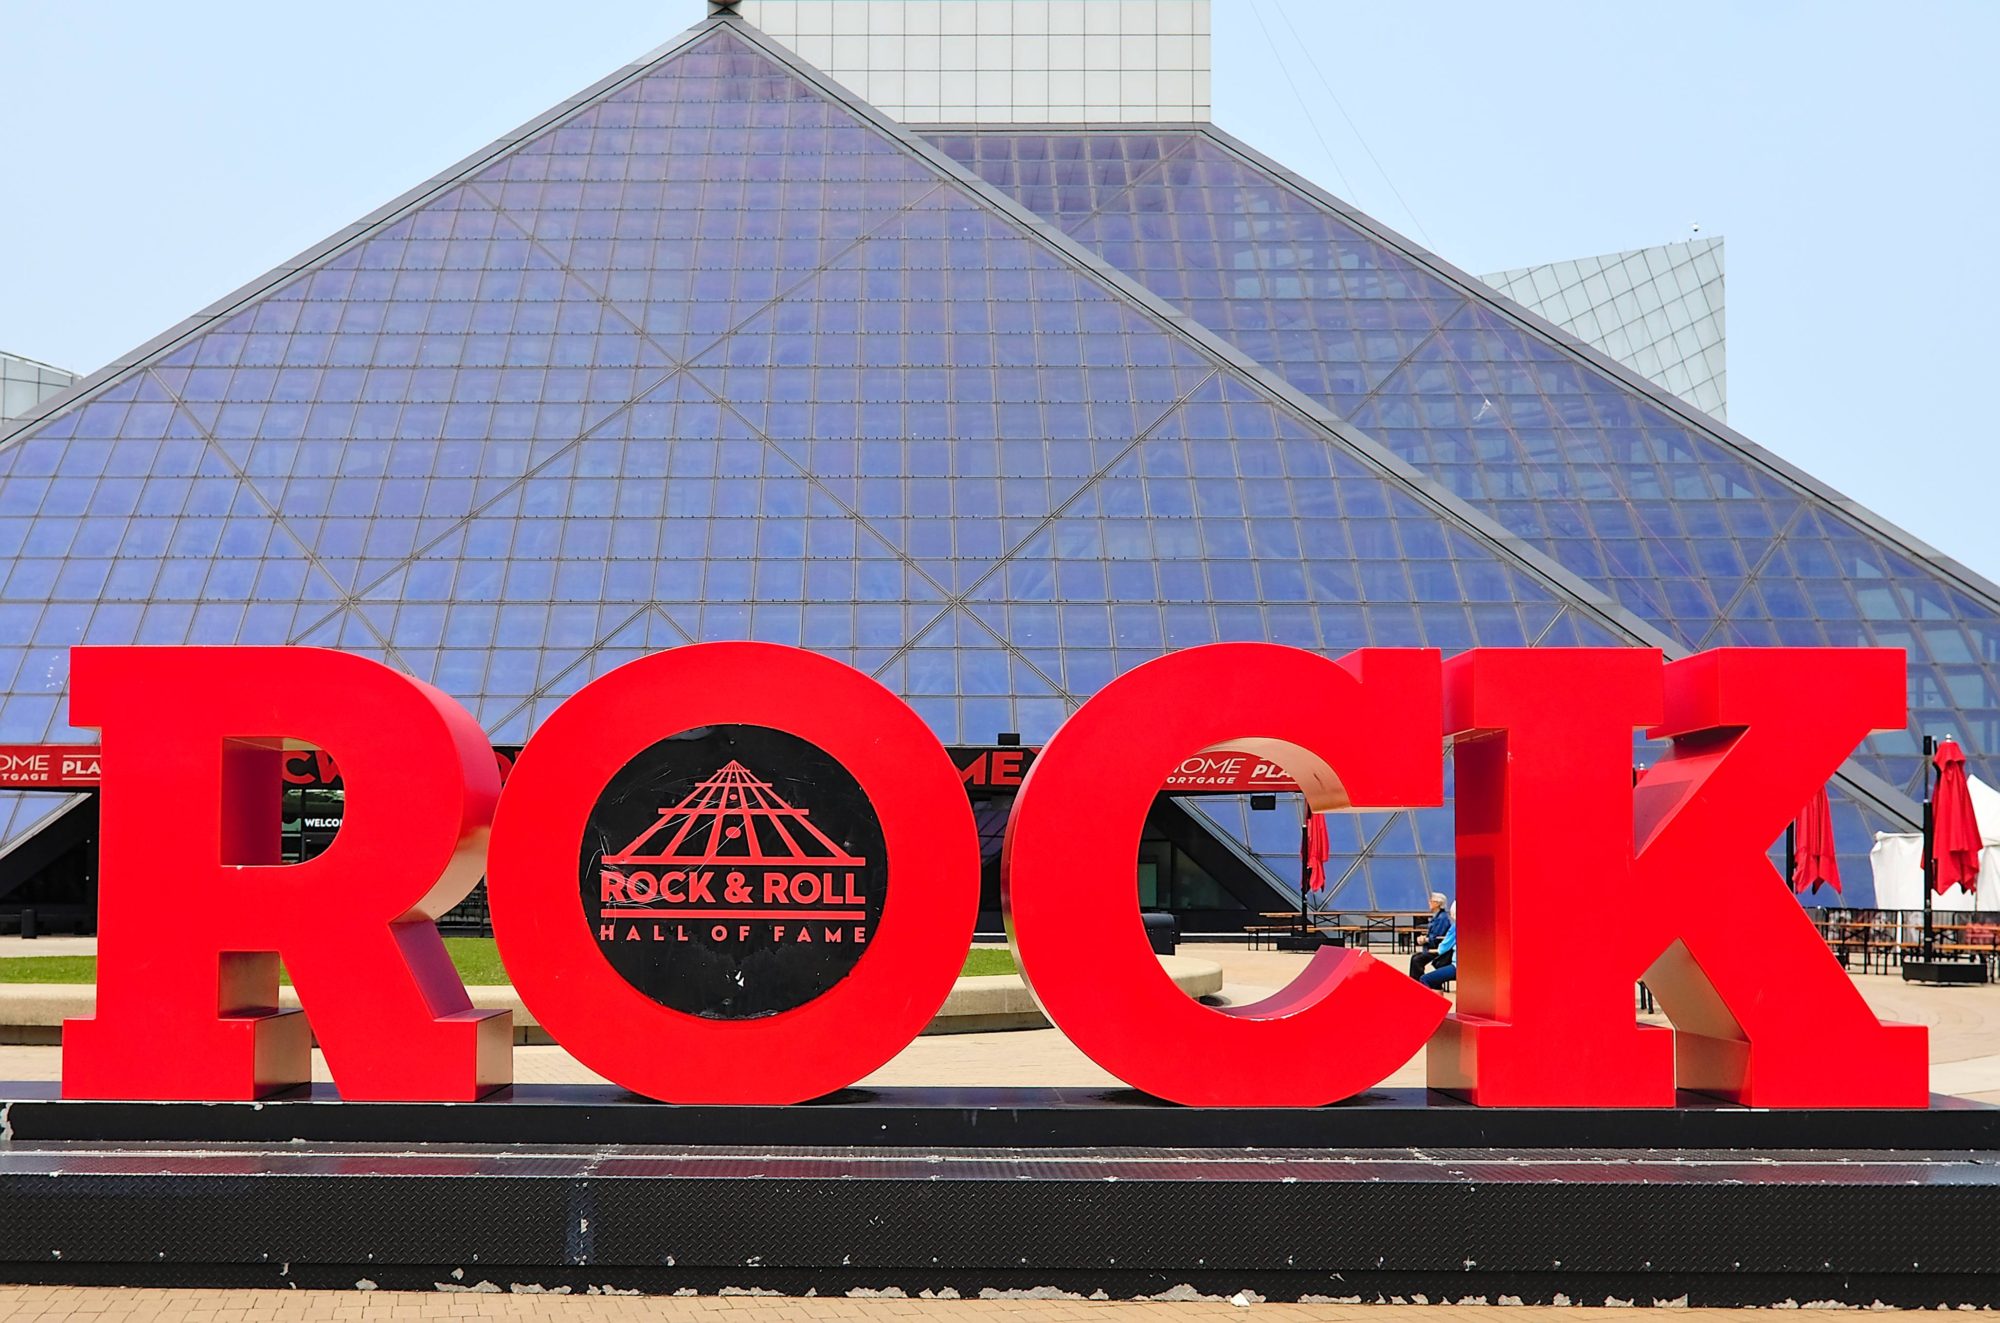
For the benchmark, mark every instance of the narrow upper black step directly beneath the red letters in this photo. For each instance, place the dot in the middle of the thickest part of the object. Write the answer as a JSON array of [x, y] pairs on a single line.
[[991, 1118]]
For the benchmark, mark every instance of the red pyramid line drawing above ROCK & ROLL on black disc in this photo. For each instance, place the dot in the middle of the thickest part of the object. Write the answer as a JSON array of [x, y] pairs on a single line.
[[733, 820]]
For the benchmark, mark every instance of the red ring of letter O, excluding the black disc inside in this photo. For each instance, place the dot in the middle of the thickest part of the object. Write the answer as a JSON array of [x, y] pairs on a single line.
[[811, 1050]]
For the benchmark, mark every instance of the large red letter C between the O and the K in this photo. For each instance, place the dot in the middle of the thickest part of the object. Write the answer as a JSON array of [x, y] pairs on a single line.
[[1067, 870]]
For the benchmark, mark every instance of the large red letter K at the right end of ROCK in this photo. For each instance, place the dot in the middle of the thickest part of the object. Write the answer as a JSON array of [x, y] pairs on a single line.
[[1573, 886]]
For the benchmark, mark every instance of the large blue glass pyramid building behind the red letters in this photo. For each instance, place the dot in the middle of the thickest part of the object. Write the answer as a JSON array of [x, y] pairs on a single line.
[[715, 351]]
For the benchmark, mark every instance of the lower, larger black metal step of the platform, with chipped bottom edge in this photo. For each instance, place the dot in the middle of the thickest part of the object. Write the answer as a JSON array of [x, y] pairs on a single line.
[[1711, 1228]]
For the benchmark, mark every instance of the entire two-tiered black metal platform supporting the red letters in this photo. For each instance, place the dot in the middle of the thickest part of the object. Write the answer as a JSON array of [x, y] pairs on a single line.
[[1399, 1196]]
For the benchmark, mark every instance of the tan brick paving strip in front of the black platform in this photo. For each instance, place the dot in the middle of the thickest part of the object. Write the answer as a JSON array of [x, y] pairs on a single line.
[[115, 1306]]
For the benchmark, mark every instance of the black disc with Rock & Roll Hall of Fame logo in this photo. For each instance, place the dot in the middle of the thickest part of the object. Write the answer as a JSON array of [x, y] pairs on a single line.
[[733, 872]]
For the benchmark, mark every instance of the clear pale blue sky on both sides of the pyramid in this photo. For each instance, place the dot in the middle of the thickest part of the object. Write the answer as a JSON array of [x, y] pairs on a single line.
[[161, 155]]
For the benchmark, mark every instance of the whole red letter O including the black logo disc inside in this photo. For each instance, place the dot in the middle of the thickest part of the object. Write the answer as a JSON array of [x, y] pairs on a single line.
[[725, 934]]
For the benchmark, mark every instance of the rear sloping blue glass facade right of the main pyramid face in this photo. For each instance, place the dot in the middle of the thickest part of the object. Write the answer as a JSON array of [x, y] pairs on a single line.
[[1675, 521]]
